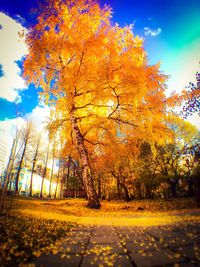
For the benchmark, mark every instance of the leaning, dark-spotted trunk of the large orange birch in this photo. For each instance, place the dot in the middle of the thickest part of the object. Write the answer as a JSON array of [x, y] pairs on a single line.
[[93, 201]]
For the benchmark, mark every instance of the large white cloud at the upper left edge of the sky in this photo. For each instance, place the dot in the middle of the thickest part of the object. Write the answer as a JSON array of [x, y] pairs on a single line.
[[12, 48]]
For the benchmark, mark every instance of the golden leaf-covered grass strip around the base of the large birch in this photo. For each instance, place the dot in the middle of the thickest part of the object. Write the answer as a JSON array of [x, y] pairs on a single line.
[[155, 211]]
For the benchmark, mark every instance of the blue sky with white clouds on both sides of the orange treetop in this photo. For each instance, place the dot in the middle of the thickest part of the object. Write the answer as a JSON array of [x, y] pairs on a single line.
[[171, 32]]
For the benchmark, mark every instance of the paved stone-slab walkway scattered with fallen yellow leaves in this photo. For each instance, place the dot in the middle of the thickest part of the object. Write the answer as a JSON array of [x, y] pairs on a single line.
[[127, 246]]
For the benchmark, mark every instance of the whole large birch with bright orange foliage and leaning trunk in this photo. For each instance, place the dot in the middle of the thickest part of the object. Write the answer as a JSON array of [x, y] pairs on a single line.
[[95, 75]]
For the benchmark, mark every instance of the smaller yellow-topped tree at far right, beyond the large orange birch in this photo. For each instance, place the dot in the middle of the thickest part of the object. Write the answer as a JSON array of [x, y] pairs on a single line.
[[172, 156]]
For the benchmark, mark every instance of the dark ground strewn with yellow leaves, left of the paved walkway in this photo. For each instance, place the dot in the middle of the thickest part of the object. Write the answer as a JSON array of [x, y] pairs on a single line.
[[23, 238]]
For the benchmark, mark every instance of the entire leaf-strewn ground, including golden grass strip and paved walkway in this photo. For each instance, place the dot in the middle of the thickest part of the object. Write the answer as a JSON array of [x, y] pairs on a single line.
[[66, 233]]
